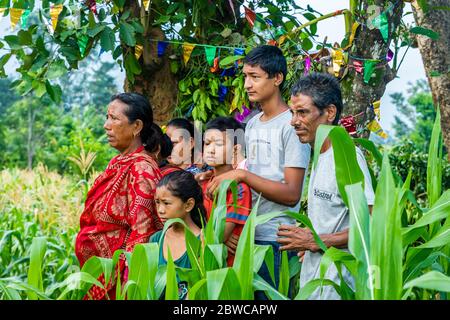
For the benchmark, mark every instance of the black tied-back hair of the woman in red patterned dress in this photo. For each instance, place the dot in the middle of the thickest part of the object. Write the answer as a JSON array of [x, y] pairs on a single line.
[[139, 108]]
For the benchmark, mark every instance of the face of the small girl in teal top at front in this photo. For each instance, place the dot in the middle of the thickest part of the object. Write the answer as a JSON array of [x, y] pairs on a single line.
[[169, 206]]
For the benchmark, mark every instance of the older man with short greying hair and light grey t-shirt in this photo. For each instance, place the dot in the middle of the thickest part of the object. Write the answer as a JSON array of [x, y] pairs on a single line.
[[316, 99]]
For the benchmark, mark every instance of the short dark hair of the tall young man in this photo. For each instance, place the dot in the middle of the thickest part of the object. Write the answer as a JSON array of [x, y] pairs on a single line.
[[268, 58]]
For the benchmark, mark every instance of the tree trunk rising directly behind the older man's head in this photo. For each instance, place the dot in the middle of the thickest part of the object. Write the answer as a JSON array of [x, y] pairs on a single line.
[[368, 44]]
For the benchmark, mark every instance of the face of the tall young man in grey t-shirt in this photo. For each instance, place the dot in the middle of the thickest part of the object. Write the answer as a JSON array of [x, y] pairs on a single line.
[[258, 85]]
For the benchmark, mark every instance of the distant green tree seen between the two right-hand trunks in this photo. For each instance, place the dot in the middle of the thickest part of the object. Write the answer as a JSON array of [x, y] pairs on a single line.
[[418, 111]]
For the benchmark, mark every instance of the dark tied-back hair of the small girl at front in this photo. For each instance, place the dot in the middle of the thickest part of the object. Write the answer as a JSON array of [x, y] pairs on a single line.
[[183, 185]]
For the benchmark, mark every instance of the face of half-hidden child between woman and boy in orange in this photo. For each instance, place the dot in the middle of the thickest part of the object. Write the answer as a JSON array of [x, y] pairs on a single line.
[[182, 146]]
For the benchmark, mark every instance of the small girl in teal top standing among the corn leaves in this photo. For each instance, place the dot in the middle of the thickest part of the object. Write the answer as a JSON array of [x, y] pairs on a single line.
[[178, 195]]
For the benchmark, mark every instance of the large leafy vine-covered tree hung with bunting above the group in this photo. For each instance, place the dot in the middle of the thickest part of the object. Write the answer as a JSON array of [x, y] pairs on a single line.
[[190, 88]]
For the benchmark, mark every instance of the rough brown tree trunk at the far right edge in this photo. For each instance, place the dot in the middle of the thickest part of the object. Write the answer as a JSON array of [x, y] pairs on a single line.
[[436, 58]]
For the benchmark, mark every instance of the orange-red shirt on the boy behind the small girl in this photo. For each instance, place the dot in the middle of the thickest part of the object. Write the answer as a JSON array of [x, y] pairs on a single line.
[[238, 216]]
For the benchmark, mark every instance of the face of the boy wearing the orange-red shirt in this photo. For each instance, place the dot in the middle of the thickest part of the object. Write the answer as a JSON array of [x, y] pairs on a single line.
[[218, 148]]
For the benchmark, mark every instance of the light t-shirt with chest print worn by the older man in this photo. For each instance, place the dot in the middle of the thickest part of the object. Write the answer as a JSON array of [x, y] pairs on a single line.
[[329, 214]]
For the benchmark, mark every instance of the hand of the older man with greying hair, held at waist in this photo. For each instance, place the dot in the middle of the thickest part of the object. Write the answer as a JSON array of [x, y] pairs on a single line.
[[295, 238]]
